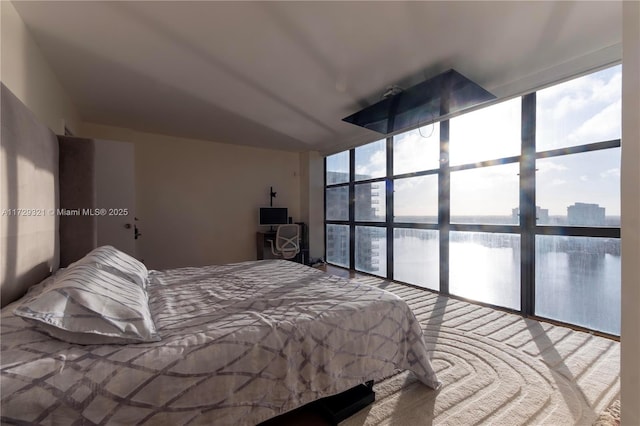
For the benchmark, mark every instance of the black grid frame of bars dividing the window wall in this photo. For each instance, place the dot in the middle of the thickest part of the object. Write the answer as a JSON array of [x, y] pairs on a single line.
[[527, 229]]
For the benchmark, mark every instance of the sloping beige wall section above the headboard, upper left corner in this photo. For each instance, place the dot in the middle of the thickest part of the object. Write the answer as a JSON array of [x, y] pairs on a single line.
[[26, 72]]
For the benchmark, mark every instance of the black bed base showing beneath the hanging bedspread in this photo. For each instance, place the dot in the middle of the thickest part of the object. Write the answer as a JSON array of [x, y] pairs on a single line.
[[338, 407]]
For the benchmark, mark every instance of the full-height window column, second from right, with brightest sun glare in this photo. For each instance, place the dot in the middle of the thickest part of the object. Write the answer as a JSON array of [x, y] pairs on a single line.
[[484, 149]]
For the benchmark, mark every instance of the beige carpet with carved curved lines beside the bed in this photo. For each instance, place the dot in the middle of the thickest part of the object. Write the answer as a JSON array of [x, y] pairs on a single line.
[[496, 368]]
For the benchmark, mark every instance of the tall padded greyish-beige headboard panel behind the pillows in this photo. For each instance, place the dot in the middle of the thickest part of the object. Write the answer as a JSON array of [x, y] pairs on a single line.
[[30, 198]]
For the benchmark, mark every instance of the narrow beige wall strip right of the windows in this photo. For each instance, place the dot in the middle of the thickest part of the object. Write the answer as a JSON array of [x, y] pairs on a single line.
[[630, 190]]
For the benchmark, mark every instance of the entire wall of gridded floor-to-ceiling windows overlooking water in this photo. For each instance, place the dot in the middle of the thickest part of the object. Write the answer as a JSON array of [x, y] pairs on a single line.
[[515, 205]]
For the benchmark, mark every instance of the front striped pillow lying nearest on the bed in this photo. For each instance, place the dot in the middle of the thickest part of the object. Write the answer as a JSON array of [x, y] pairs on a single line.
[[88, 305]]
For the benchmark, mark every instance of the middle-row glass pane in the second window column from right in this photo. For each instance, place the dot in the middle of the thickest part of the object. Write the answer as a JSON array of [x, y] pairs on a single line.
[[487, 195]]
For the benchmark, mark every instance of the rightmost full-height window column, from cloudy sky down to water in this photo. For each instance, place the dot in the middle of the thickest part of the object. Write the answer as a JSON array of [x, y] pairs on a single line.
[[578, 130]]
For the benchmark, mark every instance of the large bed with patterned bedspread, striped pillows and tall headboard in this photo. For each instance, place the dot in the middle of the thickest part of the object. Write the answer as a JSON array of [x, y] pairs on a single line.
[[104, 341]]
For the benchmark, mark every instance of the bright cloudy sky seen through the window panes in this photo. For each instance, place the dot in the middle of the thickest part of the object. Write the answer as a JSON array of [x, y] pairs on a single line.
[[583, 110]]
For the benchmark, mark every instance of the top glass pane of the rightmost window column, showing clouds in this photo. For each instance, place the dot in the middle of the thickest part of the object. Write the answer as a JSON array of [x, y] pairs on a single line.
[[580, 111]]
